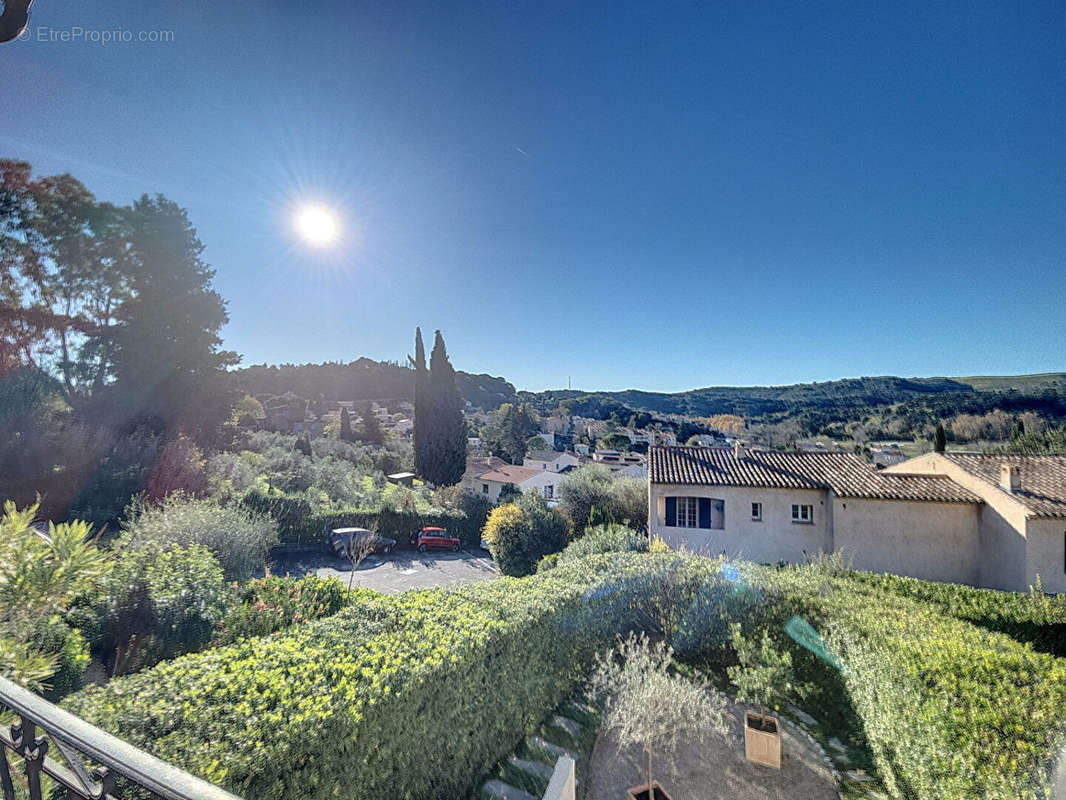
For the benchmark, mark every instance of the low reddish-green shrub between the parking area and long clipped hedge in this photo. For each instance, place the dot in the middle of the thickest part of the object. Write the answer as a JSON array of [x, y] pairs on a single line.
[[268, 605]]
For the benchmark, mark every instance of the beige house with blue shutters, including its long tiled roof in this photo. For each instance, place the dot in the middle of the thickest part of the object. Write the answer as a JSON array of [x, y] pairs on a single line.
[[769, 507]]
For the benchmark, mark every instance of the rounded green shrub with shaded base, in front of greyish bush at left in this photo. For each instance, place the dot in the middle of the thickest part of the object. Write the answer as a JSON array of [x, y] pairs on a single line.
[[155, 604]]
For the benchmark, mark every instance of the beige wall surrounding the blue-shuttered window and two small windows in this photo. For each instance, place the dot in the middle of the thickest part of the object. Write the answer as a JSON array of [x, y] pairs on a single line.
[[777, 538]]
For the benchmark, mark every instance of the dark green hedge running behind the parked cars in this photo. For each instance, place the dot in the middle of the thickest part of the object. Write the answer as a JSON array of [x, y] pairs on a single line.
[[299, 524]]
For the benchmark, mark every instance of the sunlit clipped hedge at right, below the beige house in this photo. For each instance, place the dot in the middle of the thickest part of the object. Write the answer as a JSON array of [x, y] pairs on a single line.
[[951, 711]]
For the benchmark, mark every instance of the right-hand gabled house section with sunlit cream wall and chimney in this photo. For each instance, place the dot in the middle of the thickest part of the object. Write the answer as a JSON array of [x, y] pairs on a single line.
[[1021, 531]]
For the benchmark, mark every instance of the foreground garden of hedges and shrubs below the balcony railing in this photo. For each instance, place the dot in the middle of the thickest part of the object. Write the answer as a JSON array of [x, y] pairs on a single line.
[[283, 687]]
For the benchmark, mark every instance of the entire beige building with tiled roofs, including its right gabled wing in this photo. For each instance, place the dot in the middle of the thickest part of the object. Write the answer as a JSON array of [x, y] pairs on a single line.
[[988, 521]]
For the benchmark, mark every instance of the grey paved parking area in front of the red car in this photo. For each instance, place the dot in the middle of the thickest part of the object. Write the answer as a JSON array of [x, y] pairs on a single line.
[[398, 572]]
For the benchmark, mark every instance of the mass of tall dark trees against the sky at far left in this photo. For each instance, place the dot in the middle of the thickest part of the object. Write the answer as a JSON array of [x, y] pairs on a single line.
[[109, 344]]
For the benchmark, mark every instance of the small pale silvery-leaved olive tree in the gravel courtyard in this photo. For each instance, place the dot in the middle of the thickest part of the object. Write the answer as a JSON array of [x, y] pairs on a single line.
[[648, 705]]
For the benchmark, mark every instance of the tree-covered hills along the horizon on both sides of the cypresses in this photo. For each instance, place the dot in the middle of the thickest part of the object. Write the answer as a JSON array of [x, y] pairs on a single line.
[[818, 405]]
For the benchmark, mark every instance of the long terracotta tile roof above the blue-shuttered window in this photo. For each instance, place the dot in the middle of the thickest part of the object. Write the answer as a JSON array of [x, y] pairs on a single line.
[[846, 474]]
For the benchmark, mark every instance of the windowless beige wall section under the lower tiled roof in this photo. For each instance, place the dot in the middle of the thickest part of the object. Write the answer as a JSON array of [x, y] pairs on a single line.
[[933, 541]]
